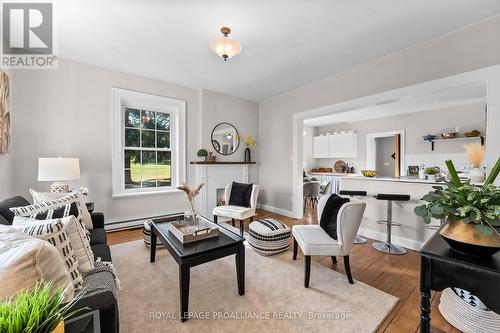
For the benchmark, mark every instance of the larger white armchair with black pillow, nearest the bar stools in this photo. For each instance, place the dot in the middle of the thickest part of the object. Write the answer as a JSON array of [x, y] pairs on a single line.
[[314, 241]]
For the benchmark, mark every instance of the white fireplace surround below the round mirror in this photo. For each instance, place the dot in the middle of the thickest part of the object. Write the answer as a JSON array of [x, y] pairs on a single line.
[[217, 176]]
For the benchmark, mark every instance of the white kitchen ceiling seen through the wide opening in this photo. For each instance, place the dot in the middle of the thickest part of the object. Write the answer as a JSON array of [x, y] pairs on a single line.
[[454, 96]]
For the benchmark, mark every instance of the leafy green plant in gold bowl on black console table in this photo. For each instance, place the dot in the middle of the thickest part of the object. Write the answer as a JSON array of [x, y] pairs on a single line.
[[472, 213]]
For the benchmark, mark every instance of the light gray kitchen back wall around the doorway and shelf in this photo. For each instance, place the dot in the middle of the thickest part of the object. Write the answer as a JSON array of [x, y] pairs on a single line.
[[467, 117]]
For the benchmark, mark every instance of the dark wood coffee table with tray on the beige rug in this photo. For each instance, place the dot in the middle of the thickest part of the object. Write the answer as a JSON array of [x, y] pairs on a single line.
[[197, 253]]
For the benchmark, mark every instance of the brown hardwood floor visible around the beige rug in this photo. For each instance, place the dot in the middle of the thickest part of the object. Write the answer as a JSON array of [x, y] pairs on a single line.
[[396, 275]]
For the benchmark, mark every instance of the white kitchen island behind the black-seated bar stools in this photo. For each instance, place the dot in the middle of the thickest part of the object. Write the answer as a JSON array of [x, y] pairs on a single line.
[[412, 233]]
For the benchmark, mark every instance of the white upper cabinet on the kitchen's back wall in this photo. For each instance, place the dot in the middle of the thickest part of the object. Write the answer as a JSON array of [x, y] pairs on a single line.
[[336, 146]]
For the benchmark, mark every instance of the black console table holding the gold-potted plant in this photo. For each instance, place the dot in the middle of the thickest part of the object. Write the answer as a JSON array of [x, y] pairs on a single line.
[[441, 267]]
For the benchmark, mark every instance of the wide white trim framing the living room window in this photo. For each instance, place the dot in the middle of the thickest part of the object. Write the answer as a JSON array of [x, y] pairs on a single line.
[[177, 109]]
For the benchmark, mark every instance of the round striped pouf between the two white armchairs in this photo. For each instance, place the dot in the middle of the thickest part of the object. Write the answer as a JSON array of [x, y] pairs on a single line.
[[269, 236]]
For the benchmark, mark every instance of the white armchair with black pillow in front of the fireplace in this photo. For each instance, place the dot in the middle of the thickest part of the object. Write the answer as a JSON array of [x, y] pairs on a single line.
[[237, 212]]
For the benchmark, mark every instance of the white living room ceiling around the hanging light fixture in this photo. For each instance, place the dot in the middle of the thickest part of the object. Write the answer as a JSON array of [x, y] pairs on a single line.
[[285, 43]]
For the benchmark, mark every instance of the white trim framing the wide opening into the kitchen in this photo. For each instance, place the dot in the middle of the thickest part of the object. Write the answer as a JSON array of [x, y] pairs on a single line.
[[488, 75]]
